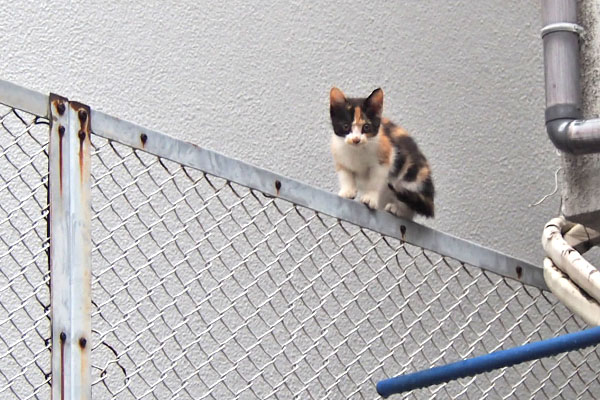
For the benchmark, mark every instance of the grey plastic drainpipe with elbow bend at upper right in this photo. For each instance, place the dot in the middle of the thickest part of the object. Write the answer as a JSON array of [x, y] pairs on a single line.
[[564, 124]]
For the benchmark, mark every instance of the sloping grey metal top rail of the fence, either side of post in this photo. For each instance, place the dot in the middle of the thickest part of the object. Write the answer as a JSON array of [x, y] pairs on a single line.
[[276, 185]]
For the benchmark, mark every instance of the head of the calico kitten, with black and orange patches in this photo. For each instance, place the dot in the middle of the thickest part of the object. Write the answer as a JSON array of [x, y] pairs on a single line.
[[355, 120]]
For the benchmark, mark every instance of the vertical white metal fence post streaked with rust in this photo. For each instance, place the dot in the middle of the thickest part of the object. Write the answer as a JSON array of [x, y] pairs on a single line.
[[70, 248]]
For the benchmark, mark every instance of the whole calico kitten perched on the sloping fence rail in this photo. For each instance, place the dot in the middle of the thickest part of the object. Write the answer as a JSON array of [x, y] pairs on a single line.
[[376, 159]]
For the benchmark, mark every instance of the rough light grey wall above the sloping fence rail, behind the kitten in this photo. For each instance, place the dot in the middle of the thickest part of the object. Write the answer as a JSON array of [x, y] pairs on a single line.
[[251, 80]]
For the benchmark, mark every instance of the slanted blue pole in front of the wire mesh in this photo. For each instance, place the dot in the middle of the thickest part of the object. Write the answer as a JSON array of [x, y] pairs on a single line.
[[489, 362]]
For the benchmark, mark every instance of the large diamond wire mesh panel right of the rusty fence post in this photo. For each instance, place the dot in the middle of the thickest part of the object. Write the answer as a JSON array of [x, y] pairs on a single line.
[[207, 289]]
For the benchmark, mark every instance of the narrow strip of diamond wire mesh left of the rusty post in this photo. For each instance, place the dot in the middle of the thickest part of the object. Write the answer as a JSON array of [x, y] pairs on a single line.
[[24, 275]]
